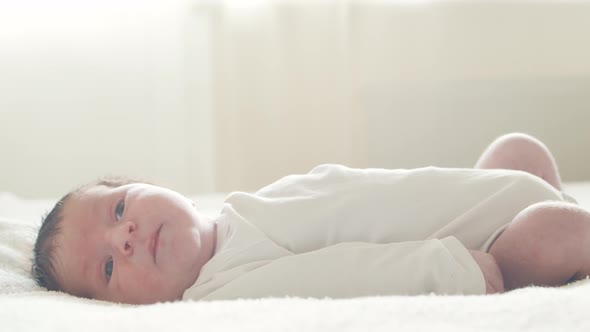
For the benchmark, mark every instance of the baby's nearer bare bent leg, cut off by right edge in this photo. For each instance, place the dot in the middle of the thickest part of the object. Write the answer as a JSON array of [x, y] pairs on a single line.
[[547, 244]]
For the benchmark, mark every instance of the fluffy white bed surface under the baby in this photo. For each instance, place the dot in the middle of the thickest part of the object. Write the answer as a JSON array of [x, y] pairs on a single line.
[[25, 307]]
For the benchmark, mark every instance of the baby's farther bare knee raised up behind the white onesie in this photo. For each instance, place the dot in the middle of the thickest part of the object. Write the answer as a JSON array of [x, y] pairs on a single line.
[[521, 152]]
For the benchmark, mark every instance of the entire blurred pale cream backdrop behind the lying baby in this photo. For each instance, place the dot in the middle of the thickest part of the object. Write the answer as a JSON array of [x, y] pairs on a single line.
[[222, 95]]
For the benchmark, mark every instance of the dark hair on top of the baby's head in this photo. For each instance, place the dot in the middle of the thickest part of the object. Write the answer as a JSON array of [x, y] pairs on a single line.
[[43, 268]]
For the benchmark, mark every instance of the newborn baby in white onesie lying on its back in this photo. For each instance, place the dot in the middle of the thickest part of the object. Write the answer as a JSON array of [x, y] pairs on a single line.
[[335, 232]]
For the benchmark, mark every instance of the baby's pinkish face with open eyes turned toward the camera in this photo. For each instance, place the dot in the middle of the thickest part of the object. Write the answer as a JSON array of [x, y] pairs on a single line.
[[136, 243]]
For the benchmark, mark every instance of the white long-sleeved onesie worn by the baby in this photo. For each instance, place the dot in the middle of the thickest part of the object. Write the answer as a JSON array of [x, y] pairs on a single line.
[[340, 232]]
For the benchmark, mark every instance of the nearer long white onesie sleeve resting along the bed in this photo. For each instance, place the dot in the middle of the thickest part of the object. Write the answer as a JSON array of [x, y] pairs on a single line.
[[364, 269]]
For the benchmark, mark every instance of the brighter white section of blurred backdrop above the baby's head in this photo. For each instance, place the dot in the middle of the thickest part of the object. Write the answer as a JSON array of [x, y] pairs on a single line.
[[94, 88]]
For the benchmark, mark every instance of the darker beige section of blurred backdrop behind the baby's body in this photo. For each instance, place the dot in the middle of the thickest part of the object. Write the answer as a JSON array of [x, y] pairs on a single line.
[[396, 83]]
